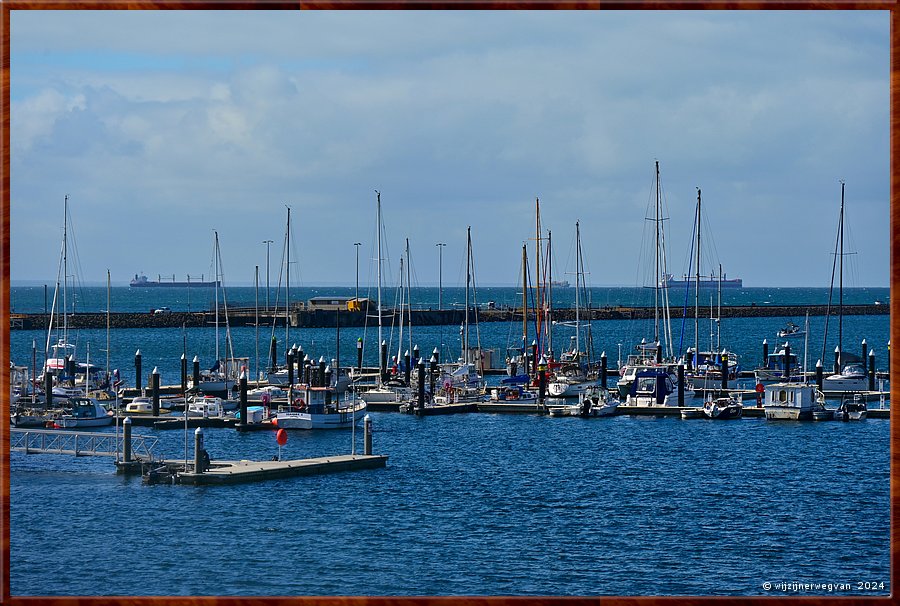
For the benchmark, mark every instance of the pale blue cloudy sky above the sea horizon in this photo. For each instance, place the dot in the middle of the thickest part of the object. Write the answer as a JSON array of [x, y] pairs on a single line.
[[163, 126]]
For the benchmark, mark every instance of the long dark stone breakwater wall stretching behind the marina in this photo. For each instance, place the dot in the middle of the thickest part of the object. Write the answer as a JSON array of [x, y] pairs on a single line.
[[321, 318]]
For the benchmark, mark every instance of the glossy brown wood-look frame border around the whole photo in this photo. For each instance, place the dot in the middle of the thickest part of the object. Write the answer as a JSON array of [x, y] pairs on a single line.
[[5, 598]]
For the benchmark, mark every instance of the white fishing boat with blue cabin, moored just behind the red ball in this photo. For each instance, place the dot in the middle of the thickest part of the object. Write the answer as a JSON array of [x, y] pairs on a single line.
[[319, 408]]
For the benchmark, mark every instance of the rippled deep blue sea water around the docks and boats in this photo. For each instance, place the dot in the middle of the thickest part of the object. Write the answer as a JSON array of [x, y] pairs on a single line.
[[476, 504]]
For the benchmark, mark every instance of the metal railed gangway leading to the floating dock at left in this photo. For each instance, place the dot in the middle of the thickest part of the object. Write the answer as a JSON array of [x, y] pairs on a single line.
[[78, 443]]
